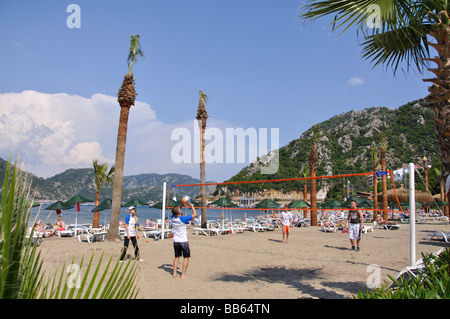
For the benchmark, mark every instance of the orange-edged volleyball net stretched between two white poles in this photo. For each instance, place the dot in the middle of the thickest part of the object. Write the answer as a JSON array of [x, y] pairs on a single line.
[[179, 190]]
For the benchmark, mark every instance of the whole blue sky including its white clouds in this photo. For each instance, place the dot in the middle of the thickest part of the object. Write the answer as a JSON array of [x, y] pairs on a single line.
[[262, 67]]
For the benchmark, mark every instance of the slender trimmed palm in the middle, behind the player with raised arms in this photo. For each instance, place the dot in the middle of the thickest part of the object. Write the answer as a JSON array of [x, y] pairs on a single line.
[[201, 117]]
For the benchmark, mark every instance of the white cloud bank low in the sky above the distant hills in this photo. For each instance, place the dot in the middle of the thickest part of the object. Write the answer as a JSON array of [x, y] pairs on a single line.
[[54, 132]]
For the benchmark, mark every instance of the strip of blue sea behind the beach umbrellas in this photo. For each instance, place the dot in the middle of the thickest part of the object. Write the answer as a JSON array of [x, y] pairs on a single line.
[[85, 216]]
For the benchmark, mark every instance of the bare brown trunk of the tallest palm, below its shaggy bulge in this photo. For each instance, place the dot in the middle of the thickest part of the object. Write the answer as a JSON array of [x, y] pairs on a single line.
[[118, 175]]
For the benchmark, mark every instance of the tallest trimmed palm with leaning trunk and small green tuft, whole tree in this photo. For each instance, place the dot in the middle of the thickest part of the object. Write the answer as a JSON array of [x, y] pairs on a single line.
[[126, 98]]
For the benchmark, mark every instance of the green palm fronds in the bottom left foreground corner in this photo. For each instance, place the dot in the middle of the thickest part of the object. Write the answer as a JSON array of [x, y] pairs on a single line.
[[22, 275]]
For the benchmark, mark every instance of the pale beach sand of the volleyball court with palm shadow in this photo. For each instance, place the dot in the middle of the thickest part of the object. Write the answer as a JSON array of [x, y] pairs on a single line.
[[253, 265]]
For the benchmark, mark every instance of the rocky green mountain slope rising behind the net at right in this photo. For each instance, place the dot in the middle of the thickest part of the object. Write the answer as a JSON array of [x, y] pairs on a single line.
[[344, 147]]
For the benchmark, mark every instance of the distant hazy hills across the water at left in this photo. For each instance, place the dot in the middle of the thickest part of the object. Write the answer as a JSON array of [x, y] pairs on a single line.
[[147, 187]]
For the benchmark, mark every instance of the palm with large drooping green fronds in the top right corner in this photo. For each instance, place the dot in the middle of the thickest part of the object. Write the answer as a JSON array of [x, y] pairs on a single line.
[[402, 34]]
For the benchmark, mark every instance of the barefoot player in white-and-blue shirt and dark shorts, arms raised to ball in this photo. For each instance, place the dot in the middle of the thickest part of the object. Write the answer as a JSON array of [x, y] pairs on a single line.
[[180, 241]]
